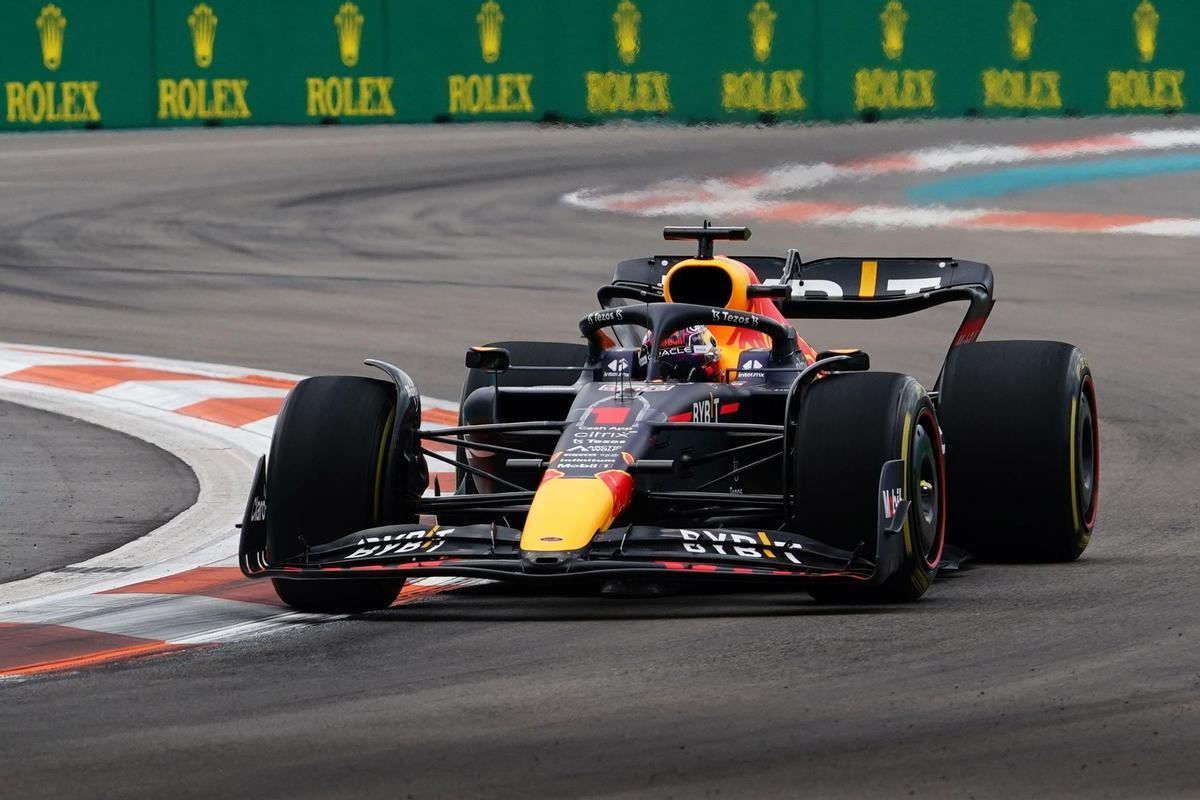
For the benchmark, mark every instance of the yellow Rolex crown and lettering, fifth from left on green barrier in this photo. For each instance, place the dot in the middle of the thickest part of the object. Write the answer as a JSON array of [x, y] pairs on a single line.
[[614, 93]]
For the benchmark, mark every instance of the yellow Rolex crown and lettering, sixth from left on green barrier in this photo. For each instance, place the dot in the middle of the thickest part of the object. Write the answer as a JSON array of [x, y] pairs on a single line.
[[757, 91]]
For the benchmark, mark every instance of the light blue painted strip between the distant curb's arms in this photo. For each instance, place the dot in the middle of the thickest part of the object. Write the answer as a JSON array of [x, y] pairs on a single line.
[[1030, 179]]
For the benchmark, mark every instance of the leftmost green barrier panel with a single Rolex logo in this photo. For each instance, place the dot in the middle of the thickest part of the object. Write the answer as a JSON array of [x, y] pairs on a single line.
[[75, 64]]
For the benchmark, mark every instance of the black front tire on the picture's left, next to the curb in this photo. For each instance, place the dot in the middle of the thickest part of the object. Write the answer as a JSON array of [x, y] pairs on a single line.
[[325, 482]]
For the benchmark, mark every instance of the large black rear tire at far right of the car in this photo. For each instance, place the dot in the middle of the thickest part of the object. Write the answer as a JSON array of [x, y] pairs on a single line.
[[1023, 450]]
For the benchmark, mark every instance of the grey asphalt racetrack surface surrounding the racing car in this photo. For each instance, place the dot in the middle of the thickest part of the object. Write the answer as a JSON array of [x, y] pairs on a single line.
[[307, 251]]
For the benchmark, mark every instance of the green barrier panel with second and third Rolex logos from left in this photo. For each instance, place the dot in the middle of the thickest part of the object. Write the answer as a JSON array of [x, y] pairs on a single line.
[[272, 62]]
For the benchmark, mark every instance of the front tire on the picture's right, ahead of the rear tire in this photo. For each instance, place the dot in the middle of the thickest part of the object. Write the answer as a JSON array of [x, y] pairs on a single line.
[[849, 426]]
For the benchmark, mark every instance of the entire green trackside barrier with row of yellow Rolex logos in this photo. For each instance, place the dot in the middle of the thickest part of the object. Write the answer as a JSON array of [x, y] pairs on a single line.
[[171, 63]]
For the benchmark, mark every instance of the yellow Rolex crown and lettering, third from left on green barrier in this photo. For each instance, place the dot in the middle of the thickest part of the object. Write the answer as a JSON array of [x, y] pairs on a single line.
[[339, 97]]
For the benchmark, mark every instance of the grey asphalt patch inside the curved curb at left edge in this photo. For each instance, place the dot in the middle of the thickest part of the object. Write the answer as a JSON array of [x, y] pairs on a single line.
[[70, 490]]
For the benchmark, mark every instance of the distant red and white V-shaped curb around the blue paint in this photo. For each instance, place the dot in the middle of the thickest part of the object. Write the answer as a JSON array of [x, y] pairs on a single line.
[[771, 195]]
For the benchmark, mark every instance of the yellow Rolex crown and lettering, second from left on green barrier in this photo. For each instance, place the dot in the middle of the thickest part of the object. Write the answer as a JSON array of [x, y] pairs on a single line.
[[203, 99]]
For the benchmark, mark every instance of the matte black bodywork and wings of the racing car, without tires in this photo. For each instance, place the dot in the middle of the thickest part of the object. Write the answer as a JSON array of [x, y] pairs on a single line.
[[710, 464]]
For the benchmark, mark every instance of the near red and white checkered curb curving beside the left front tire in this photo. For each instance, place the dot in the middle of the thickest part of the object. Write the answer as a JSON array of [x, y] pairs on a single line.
[[179, 586]]
